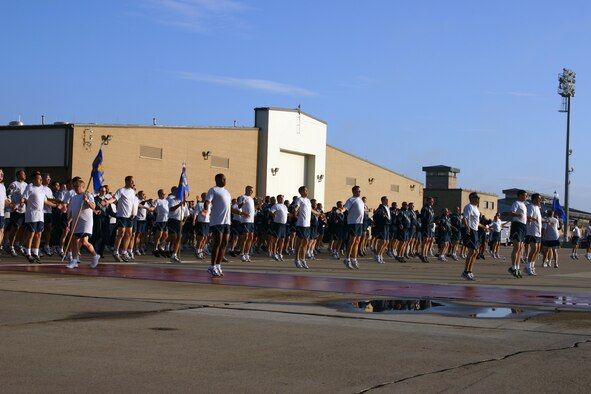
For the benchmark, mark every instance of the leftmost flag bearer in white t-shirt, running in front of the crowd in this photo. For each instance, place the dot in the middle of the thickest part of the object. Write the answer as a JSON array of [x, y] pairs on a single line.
[[80, 213]]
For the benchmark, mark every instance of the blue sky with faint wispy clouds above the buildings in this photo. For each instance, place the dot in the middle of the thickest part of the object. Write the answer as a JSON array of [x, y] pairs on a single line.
[[405, 84]]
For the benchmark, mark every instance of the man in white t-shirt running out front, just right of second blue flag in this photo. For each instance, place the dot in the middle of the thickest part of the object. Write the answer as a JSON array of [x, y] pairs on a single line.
[[218, 205]]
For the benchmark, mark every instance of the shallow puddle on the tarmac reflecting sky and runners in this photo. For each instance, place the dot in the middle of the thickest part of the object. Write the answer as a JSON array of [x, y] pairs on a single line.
[[423, 306]]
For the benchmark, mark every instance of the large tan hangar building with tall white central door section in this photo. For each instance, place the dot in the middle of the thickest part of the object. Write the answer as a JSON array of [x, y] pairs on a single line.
[[284, 150]]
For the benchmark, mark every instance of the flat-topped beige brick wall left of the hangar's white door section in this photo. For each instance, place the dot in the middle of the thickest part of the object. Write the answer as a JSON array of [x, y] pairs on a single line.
[[122, 156]]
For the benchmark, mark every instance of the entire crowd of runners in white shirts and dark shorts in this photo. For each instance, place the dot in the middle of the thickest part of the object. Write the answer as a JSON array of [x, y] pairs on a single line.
[[43, 217]]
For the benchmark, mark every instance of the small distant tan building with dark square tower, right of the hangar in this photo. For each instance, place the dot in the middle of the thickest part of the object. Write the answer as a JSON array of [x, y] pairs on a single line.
[[441, 184]]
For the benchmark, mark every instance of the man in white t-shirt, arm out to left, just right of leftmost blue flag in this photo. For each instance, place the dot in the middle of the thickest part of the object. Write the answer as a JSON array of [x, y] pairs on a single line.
[[125, 199]]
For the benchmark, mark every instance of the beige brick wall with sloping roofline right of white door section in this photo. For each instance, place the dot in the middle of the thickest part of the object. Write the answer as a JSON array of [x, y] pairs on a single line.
[[341, 165]]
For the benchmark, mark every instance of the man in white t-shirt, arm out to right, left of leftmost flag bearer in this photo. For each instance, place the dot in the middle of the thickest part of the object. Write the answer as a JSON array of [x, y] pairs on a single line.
[[36, 200]]
